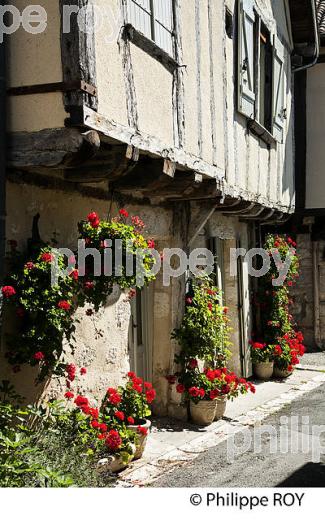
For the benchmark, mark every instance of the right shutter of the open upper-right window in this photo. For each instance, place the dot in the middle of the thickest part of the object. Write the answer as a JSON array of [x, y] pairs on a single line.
[[278, 90]]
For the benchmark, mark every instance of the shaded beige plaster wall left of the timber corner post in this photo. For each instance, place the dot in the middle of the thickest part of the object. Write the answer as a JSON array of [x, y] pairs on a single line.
[[35, 59]]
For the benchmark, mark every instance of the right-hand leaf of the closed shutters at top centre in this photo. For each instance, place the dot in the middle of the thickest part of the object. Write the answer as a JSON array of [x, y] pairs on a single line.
[[163, 24]]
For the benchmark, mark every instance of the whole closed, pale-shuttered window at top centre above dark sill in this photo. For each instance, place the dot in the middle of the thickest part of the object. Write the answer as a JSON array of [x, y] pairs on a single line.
[[154, 19]]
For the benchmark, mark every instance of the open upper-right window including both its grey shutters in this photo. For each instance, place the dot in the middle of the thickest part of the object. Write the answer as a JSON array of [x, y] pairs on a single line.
[[261, 76]]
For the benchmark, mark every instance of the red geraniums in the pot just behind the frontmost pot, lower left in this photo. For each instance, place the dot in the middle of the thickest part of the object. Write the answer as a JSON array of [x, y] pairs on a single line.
[[130, 404]]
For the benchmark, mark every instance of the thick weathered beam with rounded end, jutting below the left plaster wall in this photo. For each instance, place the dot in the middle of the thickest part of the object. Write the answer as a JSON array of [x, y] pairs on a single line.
[[55, 148]]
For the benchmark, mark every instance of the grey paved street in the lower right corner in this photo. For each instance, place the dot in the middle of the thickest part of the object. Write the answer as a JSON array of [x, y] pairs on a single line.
[[263, 469]]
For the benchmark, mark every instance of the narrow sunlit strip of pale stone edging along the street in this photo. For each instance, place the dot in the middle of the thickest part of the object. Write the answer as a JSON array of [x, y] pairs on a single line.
[[143, 472]]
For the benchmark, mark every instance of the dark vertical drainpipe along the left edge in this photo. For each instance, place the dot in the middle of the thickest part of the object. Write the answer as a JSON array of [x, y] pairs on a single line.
[[2, 162]]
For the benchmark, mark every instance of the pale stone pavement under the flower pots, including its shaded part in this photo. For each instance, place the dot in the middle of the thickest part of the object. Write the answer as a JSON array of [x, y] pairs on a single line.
[[173, 443]]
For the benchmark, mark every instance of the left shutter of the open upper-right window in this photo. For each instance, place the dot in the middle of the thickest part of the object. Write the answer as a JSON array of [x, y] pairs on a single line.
[[246, 61]]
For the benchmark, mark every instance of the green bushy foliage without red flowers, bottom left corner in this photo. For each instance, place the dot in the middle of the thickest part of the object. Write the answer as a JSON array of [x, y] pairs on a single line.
[[47, 446]]
